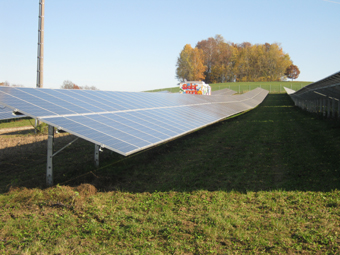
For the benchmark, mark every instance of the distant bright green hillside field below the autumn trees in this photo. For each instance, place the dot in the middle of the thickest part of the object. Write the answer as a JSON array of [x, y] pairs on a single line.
[[243, 87]]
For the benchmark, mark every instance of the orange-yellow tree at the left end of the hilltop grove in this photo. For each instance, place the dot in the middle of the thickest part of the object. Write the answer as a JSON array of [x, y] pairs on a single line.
[[190, 64]]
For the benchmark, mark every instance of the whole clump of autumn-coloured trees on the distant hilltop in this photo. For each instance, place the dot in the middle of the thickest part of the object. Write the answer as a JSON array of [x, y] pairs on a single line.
[[216, 61]]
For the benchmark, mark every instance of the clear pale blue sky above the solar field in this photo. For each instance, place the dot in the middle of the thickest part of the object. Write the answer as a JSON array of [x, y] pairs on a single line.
[[133, 45]]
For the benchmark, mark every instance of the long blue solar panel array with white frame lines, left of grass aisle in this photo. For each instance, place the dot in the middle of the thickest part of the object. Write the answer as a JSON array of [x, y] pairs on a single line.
[[126, 122]]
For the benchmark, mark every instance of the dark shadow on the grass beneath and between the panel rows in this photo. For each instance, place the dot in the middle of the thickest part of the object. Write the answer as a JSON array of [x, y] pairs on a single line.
[[275, 146]]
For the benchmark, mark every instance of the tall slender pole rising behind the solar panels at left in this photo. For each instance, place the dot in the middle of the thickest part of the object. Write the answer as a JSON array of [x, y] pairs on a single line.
[[40, 64]]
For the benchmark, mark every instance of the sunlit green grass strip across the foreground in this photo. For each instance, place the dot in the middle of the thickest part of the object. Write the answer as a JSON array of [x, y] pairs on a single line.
[[63, 221]]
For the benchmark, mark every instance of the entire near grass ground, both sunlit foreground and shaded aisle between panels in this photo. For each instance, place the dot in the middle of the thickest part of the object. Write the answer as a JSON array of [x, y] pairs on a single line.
[[266, 181]]
